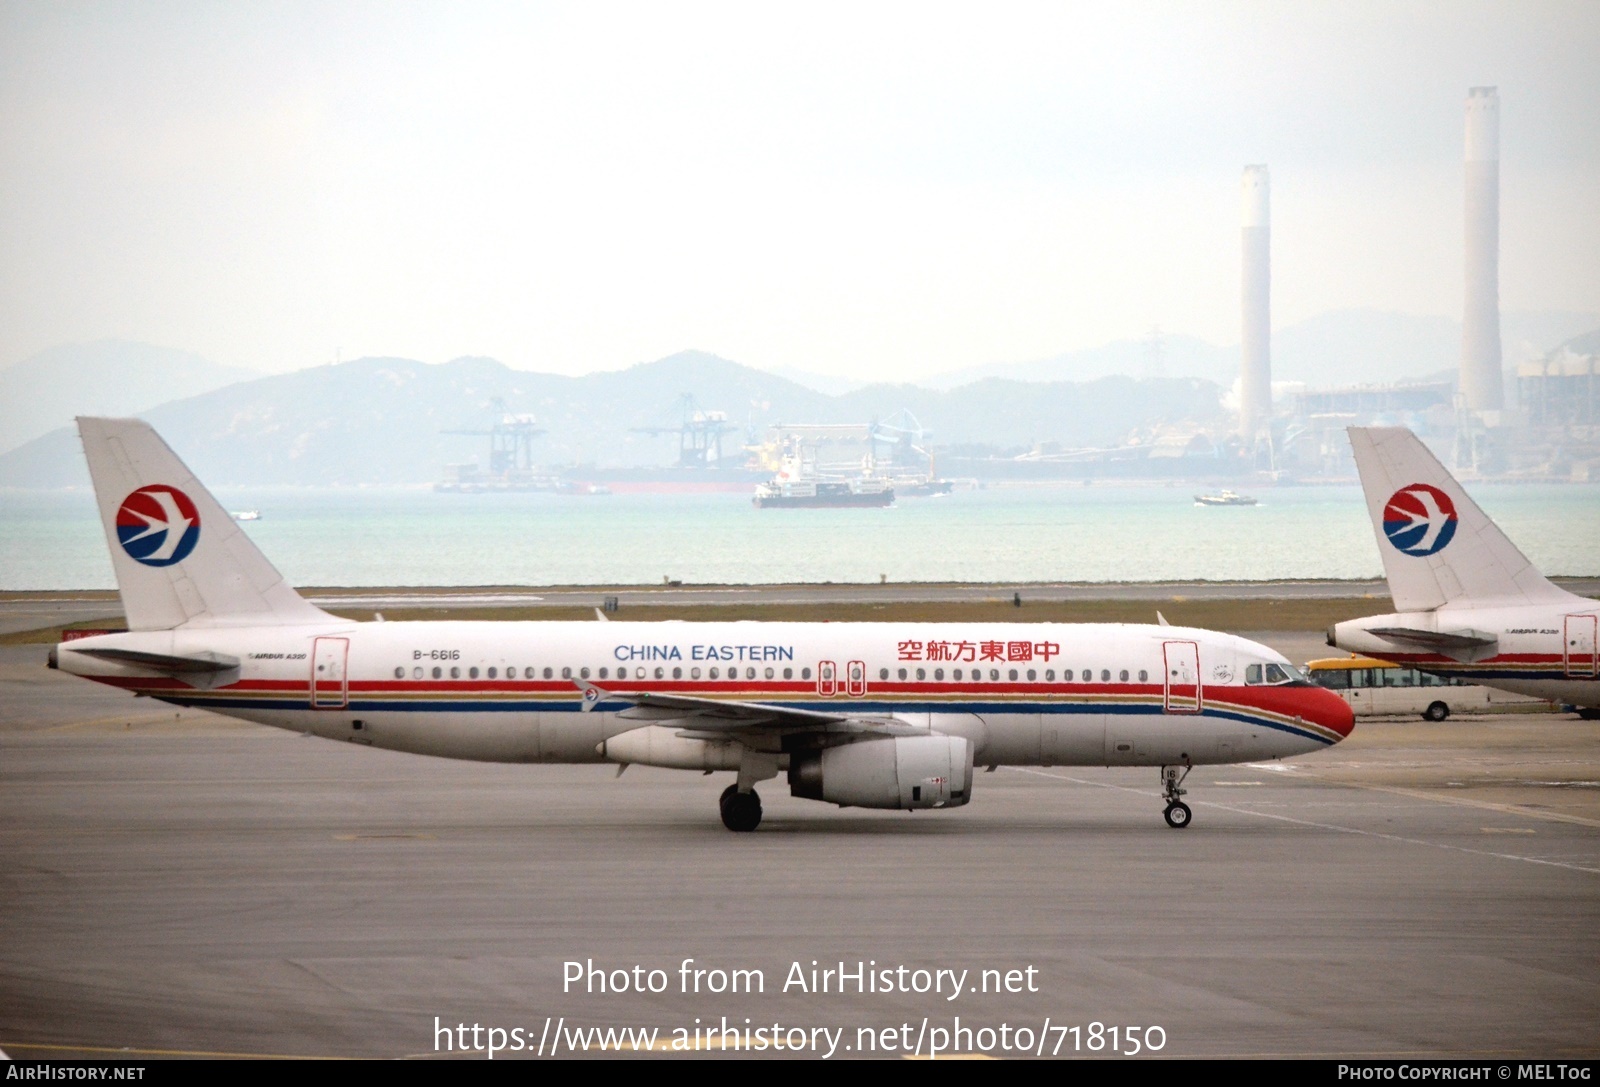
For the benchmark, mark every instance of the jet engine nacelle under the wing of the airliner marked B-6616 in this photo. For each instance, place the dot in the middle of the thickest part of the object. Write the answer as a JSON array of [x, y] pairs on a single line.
[[902, 772]]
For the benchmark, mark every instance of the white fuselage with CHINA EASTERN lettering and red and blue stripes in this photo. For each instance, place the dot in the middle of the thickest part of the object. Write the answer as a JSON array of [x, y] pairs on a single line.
[[511, 692]]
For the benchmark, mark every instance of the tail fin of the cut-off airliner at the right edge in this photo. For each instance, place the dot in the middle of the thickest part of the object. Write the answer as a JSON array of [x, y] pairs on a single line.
[[1438, 547]]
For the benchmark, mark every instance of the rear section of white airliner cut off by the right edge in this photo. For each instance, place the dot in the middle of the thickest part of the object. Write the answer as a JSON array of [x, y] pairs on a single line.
[[1468, 604]]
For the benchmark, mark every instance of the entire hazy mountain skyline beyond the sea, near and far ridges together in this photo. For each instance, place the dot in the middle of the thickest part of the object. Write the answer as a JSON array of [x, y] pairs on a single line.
[[390, 420]]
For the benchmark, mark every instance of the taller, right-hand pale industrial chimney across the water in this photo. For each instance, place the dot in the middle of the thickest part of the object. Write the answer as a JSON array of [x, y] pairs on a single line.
[[1481, 355]]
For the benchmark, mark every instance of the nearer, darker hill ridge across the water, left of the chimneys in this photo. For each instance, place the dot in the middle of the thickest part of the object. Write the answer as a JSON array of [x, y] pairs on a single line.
[[388, 420]]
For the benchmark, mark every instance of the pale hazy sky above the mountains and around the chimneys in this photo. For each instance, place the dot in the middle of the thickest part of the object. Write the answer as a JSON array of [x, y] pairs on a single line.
[[866, 190]]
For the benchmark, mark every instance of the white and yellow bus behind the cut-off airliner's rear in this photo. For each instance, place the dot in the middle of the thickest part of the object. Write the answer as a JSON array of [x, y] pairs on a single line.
[[1382, 689]]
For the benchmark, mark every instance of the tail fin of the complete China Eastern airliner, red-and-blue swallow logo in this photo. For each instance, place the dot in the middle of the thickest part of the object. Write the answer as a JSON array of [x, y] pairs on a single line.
[[178, 556]]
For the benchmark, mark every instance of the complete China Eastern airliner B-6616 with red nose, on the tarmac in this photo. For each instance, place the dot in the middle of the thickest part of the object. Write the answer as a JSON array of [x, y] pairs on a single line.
[[858, 715]]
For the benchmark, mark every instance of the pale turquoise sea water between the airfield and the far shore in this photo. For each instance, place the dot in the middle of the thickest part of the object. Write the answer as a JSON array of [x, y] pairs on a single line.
[[410, 537]]
